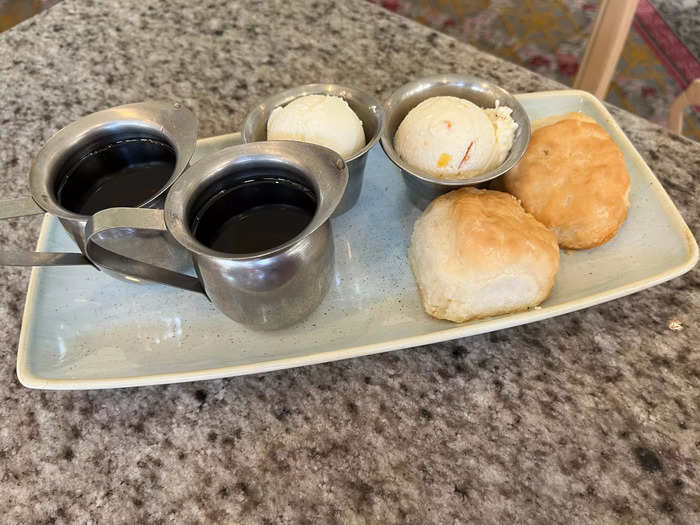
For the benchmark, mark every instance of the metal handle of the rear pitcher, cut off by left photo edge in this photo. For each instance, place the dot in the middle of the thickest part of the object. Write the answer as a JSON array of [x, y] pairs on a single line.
[[22, 208]]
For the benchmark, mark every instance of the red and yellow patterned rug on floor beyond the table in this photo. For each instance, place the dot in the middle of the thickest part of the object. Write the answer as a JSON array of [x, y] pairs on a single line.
[[658, 61]]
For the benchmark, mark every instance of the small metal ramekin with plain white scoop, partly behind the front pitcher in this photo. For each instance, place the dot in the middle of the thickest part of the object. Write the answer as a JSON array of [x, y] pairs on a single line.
[[368, 109]]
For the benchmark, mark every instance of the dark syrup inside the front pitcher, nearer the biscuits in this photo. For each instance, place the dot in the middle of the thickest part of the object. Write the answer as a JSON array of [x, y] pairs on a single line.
[[254, 215]]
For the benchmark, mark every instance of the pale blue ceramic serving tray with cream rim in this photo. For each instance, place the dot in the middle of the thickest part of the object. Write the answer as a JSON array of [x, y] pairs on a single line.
[[82, 329]]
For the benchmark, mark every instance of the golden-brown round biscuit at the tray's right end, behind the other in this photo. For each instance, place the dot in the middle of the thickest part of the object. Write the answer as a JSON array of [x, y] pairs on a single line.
[[573, 179]]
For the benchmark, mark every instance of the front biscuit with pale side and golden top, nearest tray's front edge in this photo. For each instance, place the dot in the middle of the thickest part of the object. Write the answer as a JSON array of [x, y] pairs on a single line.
[[477, 253]]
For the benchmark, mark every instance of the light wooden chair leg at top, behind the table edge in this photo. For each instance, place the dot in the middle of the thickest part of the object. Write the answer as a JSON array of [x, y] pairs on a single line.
[[605, 46]]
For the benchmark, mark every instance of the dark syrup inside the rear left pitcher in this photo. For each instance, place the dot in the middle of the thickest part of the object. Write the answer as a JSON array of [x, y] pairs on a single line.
[[124, 173]]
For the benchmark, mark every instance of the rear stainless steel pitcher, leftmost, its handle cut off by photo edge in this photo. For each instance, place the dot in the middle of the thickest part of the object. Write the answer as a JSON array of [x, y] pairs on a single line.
[[161, 122]]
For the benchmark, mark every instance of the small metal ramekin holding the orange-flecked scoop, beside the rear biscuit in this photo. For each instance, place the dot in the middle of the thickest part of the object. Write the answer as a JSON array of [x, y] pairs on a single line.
[[423, 187]]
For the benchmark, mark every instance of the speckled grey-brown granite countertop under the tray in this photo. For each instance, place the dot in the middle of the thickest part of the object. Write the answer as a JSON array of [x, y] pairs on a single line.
[[590, 417]]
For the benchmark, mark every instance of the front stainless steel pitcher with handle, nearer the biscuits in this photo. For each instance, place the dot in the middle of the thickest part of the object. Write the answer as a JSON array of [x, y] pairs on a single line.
[[265, 290]]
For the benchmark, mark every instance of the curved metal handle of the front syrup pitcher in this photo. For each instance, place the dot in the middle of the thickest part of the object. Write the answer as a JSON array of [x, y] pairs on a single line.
[[132, 219]]
